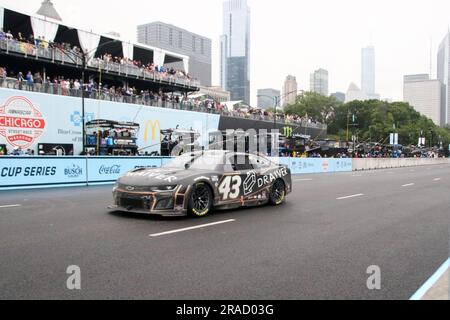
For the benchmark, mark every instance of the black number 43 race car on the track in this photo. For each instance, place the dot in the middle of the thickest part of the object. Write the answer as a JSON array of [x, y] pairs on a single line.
[[197, 183]]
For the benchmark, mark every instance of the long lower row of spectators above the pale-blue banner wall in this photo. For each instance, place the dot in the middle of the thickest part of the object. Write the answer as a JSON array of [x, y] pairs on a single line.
[[130, 94]]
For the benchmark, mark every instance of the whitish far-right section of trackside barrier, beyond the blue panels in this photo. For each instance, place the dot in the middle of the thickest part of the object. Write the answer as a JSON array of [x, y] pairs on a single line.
[[374, 164]]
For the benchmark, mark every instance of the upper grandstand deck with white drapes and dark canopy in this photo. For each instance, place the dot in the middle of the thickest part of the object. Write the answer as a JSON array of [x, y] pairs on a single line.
[[39, 44]]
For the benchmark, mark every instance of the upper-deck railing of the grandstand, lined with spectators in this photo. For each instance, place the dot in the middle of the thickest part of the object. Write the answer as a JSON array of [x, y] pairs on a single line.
[[70, 57]]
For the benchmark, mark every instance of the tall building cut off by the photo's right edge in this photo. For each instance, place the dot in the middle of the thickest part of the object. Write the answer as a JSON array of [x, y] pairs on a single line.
[[443, 74]]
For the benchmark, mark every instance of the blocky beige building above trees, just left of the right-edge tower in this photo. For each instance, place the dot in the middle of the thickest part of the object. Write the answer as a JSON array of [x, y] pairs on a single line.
[[424, 95]]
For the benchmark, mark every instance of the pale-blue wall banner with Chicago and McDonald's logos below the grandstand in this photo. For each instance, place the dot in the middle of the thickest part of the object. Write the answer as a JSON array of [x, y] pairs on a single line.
[[27, 119]]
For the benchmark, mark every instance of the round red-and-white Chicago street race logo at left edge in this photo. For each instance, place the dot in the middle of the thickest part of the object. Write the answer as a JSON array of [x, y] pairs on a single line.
[[21, 123]]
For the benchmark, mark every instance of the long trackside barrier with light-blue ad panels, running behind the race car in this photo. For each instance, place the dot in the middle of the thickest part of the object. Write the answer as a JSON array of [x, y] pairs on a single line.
[[42, 172]]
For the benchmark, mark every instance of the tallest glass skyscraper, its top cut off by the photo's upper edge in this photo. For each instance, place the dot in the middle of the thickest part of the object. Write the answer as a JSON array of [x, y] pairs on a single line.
[[235, 50]]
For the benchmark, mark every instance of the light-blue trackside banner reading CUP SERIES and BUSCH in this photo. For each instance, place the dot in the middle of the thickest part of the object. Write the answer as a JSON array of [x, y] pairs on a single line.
[[41, 171]]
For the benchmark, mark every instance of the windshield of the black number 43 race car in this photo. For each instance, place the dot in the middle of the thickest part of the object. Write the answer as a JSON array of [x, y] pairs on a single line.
[[198, 161]]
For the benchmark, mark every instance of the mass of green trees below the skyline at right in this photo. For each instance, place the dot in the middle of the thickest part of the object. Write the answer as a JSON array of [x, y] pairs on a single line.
[[375, 120]]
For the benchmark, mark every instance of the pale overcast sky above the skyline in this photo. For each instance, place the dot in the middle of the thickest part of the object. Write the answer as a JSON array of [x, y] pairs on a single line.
[[289, 36]]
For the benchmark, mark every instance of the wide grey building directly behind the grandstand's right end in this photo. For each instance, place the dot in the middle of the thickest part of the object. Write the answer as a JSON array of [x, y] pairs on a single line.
[[181, 41]]
